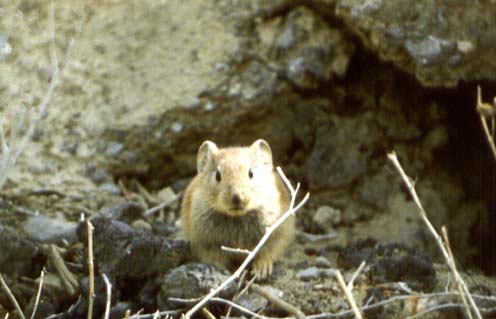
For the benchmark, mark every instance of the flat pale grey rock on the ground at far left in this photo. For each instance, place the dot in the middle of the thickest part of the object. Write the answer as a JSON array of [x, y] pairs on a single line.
[[49, 230]]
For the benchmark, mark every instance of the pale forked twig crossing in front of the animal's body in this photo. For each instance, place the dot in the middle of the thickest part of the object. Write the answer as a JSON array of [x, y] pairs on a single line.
[[292, 209]]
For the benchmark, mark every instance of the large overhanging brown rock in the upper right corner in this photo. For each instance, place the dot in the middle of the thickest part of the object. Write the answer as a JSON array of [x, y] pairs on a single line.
[[424, 39]]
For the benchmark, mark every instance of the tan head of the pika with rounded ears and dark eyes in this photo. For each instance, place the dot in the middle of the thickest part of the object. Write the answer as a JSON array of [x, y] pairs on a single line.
[[239, 178]]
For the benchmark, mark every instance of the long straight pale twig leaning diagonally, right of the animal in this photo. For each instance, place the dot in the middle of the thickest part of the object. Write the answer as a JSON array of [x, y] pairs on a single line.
[[394, 159]]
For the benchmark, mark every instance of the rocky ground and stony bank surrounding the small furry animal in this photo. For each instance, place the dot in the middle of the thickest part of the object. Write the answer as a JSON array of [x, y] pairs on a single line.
[[332, 85]]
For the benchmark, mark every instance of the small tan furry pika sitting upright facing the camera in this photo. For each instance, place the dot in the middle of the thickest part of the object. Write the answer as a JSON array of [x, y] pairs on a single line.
[[235, 195]]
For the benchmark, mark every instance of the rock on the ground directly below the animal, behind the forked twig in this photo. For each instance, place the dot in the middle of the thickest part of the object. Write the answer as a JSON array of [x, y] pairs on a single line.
[[192, 280]]
